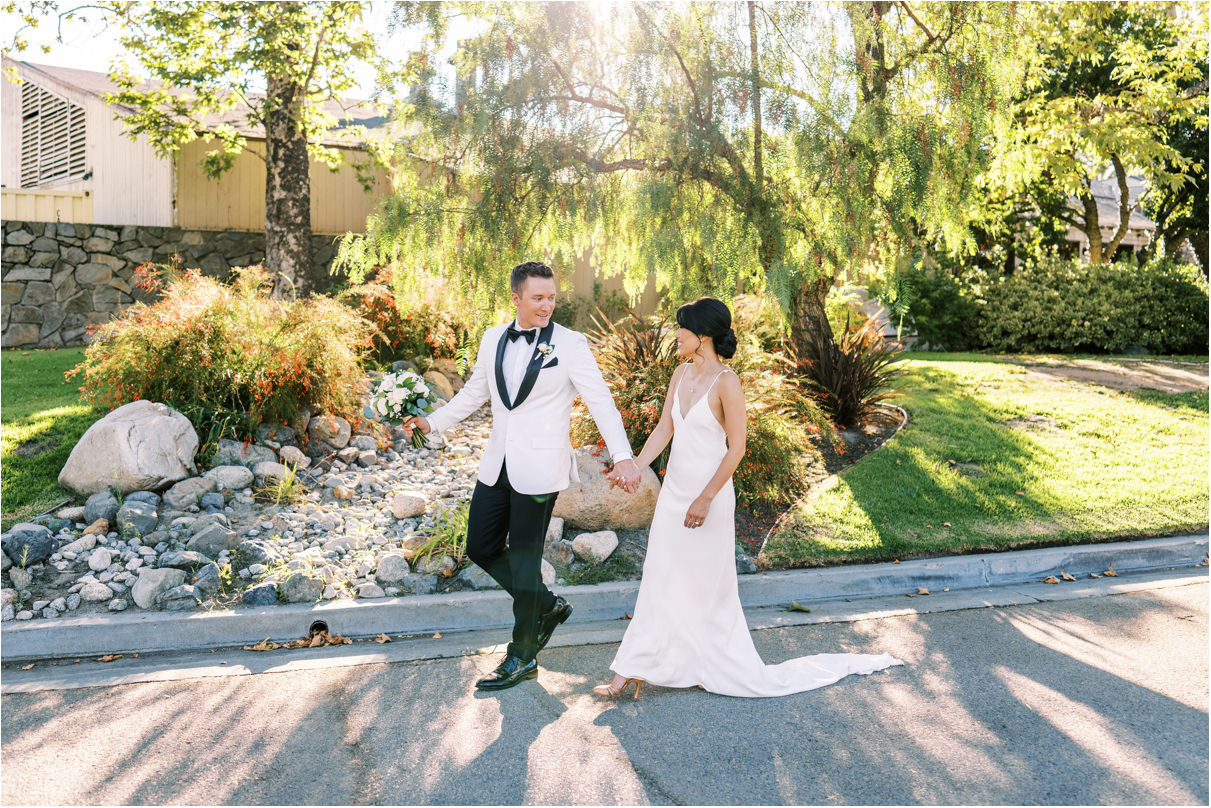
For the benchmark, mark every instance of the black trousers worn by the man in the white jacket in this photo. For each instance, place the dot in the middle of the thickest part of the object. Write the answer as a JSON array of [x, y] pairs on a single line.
[[498, 513]]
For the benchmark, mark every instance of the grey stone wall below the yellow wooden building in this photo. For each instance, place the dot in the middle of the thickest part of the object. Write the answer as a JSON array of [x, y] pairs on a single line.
[[59, 279]]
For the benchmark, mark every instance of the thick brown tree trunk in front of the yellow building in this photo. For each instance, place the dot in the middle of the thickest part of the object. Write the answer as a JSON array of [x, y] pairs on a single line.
[[289, 192]]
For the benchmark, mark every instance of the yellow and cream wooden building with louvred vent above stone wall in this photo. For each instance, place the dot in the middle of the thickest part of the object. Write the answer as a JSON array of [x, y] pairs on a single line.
[[66, 159]]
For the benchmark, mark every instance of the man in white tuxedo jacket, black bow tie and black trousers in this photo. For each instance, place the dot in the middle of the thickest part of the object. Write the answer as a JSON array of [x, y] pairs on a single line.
[[532, 370]]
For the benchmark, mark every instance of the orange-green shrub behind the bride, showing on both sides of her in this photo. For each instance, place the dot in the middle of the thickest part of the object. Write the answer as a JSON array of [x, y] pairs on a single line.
[[639, 359]]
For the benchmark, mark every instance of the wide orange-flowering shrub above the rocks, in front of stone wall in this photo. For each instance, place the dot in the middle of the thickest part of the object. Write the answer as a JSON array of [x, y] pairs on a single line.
[[210, 347]]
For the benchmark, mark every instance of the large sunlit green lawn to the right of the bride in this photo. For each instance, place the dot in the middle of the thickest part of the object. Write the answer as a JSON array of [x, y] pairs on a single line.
[[996, 459]]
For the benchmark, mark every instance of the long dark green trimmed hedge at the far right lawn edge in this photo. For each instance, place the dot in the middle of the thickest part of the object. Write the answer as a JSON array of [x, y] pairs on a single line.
[[1066, 307]]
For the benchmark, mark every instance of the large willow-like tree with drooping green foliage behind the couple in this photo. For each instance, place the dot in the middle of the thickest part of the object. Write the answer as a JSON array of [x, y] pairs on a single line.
[[707, 144]]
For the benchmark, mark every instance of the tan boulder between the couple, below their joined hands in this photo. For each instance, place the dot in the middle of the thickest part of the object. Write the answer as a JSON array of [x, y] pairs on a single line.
[[593, 506]]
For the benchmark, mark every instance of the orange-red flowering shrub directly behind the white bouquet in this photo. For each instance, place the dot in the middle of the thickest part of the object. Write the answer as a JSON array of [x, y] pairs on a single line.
[[404, 331]]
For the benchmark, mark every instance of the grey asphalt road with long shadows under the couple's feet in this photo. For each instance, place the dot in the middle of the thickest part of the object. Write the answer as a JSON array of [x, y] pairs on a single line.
[[1093, 702]]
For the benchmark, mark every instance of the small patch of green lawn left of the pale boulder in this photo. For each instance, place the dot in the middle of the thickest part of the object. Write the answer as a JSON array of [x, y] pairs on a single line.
[[41, 422]]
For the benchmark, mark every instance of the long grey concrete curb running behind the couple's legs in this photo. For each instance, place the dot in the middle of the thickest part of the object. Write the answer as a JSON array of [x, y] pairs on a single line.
[[158, 632]]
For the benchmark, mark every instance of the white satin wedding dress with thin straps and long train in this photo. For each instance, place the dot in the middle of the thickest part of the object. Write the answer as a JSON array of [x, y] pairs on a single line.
[[688, 626]]
